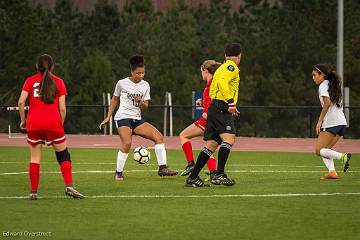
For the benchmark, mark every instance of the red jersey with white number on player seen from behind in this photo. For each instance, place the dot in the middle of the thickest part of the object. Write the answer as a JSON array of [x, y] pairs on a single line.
[[43, 116]]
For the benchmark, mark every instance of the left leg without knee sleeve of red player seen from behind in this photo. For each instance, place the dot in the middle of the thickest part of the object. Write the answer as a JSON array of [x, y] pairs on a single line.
[[34, 169]]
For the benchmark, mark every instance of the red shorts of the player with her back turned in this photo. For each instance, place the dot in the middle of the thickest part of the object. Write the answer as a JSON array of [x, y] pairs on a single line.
[[47, 137]]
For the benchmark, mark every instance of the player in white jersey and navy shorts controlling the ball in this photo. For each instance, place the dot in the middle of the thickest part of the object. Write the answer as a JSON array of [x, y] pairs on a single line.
[[134, 94]]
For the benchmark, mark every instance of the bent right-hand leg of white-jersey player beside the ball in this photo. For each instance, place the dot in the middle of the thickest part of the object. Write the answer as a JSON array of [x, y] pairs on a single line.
[[148, 131]]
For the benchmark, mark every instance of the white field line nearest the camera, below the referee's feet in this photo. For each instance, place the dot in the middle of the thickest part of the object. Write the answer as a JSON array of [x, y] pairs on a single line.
[[200, 196]]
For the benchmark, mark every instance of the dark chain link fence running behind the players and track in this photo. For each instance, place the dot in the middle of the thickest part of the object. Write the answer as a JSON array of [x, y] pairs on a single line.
[[254, 121]]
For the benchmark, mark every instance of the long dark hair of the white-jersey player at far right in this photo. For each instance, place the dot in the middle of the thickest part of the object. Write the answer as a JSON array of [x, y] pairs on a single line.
[[334, 83]]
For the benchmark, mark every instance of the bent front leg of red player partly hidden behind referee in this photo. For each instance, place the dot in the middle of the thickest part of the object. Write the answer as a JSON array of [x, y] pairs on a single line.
[[188, 133]]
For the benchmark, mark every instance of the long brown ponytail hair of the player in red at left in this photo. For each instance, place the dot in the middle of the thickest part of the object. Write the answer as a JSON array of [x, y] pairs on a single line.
[[48, 87]]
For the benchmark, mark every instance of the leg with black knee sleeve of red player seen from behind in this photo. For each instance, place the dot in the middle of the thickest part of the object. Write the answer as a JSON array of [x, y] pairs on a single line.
[[64, 159]]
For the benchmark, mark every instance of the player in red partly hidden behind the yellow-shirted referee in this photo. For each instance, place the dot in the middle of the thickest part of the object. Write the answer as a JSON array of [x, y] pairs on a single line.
[[197, 128]]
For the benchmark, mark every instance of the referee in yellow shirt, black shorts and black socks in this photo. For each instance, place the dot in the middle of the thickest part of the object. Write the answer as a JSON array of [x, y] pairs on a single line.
[[220, 127]]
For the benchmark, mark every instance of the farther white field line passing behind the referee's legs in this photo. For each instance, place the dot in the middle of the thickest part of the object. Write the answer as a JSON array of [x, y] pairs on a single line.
[[138, 170]]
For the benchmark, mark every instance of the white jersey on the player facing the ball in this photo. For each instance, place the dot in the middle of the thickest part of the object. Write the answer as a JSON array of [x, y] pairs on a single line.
[[127, 90]]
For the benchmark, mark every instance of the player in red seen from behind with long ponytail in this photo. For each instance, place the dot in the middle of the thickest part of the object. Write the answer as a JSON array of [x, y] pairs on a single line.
[[45, 122]]
